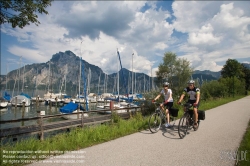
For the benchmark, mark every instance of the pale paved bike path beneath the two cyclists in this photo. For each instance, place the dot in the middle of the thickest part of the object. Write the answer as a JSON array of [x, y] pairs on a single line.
[[220, 132]]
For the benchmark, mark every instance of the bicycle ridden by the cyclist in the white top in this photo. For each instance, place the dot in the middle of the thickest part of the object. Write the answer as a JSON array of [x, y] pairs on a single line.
[[159, 117]]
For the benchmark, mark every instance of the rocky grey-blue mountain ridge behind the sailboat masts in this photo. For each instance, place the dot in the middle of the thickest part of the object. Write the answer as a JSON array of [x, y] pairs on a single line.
[[51, 76]]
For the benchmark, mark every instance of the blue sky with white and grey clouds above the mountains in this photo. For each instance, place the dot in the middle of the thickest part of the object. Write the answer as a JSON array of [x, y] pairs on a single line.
[[206, 33]]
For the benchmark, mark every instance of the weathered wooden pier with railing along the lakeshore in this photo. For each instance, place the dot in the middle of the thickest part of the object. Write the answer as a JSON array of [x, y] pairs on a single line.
[[40, 128]]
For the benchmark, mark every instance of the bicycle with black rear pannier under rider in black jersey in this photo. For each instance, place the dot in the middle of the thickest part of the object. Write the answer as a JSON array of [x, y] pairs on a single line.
[[186, 121]]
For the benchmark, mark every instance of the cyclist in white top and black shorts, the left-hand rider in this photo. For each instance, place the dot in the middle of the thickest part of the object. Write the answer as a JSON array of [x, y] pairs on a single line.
[[168, 102]]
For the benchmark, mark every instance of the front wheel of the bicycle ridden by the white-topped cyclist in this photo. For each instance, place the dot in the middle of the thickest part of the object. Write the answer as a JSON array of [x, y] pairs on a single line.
[[154, 122]]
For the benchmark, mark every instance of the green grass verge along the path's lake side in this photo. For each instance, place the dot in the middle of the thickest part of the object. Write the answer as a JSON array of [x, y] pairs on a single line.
[[79, 138]]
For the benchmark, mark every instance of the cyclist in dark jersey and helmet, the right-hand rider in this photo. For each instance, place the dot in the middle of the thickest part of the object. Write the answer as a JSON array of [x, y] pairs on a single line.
[[194, 98]]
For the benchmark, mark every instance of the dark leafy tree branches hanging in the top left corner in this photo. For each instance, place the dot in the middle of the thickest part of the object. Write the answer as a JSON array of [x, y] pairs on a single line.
[[21, 12]]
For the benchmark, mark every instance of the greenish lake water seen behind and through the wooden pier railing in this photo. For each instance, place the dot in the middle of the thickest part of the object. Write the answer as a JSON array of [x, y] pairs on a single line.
[[12, 112]]
